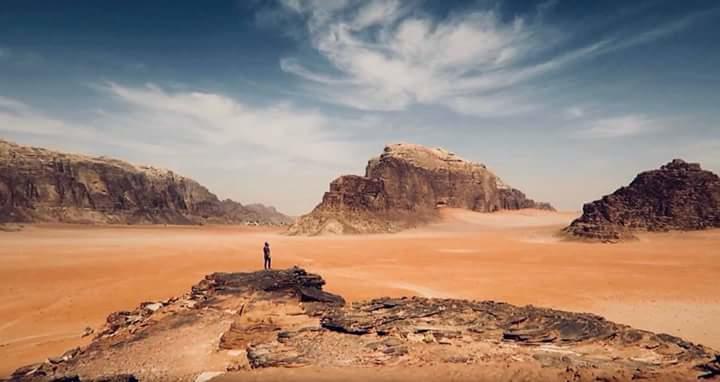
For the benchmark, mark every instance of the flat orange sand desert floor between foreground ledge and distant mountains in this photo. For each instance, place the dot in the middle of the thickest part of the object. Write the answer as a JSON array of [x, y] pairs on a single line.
[[57, 280]]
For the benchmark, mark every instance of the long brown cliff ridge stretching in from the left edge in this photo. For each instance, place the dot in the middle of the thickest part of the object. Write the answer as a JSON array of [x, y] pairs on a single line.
[[38, 185]]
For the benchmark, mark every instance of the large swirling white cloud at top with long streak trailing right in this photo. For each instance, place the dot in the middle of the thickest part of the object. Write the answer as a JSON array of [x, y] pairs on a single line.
[[384, 56]]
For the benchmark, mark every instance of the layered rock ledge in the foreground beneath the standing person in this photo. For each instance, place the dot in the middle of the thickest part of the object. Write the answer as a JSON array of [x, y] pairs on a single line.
[[237, 322]]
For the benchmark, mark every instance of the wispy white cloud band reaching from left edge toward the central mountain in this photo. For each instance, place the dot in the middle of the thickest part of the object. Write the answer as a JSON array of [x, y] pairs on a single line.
[[181, 119]]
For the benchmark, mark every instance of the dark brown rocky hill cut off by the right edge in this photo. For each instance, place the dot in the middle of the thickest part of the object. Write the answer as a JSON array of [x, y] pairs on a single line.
[[678, 196]]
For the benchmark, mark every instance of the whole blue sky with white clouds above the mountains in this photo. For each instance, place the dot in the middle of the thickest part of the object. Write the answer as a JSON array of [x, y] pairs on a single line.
[[268, 101]]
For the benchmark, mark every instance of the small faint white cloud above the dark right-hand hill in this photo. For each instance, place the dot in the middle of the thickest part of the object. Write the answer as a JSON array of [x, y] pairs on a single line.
[[623, 126]]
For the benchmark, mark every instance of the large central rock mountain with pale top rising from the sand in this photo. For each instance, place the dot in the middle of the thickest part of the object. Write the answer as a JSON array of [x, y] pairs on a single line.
[[403, 187]]
